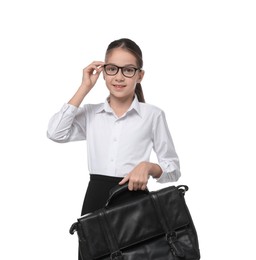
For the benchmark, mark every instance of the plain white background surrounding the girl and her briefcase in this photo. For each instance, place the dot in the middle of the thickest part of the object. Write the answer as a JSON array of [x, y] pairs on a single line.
[[200, 64]]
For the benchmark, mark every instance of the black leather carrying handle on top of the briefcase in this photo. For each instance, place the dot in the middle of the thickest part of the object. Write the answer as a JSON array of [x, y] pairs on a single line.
[[118, 190]]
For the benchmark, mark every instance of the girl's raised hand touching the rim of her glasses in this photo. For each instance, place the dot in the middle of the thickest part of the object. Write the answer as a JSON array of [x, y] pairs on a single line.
[[91, 74]]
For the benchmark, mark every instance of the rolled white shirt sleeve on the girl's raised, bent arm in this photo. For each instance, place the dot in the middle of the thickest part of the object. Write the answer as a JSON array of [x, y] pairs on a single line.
[[69, 124]]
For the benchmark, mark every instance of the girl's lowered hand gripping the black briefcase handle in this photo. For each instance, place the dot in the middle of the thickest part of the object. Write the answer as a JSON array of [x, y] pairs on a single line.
[[138, 177]]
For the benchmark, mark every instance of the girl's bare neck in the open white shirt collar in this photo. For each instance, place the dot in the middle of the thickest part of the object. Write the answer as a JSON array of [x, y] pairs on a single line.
[[120, 105]]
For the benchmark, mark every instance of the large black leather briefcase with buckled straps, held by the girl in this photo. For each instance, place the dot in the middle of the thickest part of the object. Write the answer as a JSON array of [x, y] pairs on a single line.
[[139, 225]]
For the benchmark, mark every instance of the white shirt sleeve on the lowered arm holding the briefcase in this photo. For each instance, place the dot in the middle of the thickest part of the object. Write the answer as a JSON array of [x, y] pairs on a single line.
[[165, 151]]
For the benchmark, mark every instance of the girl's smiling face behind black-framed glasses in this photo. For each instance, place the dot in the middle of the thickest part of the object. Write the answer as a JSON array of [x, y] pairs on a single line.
[[120, 86]]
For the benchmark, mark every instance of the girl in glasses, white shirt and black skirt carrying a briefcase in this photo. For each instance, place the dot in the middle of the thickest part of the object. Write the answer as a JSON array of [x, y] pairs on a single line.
[[121, 132]]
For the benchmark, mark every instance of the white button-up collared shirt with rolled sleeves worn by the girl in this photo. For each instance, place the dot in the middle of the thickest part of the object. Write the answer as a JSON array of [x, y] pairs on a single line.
[[115, 145]]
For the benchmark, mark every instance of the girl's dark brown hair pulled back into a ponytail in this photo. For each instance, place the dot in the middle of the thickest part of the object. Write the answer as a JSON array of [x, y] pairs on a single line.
[[133, 48]]
